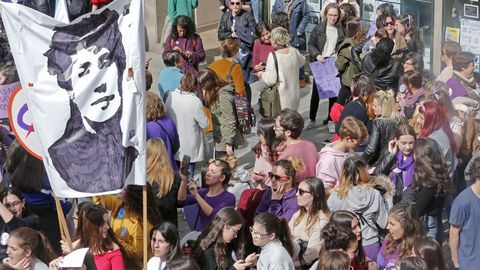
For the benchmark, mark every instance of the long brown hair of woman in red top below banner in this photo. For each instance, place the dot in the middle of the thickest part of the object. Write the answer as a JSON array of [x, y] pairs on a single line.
[[90, 225]]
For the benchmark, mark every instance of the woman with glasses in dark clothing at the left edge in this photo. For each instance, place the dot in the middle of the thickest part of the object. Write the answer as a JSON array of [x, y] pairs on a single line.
[[14, 215]]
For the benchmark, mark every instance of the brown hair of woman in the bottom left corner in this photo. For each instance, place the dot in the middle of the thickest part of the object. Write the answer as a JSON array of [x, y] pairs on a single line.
[[36, 242]]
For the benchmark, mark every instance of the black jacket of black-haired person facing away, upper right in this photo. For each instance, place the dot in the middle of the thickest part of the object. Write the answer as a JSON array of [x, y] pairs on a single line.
[[385, 77]]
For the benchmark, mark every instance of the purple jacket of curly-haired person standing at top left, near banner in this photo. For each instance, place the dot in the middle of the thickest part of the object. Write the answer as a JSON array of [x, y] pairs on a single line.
[[198, 52]]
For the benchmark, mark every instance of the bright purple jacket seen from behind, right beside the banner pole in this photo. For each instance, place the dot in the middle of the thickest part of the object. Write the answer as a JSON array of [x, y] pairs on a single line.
[[165, 129]]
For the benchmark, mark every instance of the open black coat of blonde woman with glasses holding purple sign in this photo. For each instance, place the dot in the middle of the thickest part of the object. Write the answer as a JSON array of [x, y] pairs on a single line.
[[318, 37]]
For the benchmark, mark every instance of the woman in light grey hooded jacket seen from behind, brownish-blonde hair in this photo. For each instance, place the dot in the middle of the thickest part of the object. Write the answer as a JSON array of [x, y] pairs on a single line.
[[357, 195]]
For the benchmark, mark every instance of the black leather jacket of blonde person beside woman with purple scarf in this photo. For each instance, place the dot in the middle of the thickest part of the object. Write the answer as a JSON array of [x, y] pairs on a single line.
[[381, 133]]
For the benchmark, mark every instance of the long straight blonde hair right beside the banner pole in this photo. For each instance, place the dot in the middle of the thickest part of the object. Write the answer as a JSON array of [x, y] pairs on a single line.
[[159, 169]]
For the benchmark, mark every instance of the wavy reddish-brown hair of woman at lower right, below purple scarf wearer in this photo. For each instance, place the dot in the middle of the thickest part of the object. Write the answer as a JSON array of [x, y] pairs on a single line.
[[405, 214]]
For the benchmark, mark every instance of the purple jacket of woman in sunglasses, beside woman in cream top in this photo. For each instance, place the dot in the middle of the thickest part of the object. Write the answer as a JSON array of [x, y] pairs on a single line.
[[283, 208]]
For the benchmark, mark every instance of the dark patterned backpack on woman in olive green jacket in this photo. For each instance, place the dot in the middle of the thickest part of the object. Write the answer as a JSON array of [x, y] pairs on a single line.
[[244, 114]]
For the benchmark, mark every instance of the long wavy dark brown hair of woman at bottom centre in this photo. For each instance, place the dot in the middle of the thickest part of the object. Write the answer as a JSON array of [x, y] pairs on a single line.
[[213, 237]]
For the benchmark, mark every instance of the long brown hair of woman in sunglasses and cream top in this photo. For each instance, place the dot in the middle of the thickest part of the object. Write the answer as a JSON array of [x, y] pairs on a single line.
[[315, 186]]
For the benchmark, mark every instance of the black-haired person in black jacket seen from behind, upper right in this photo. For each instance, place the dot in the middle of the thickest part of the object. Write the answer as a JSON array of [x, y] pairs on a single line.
[[384, 69]]
